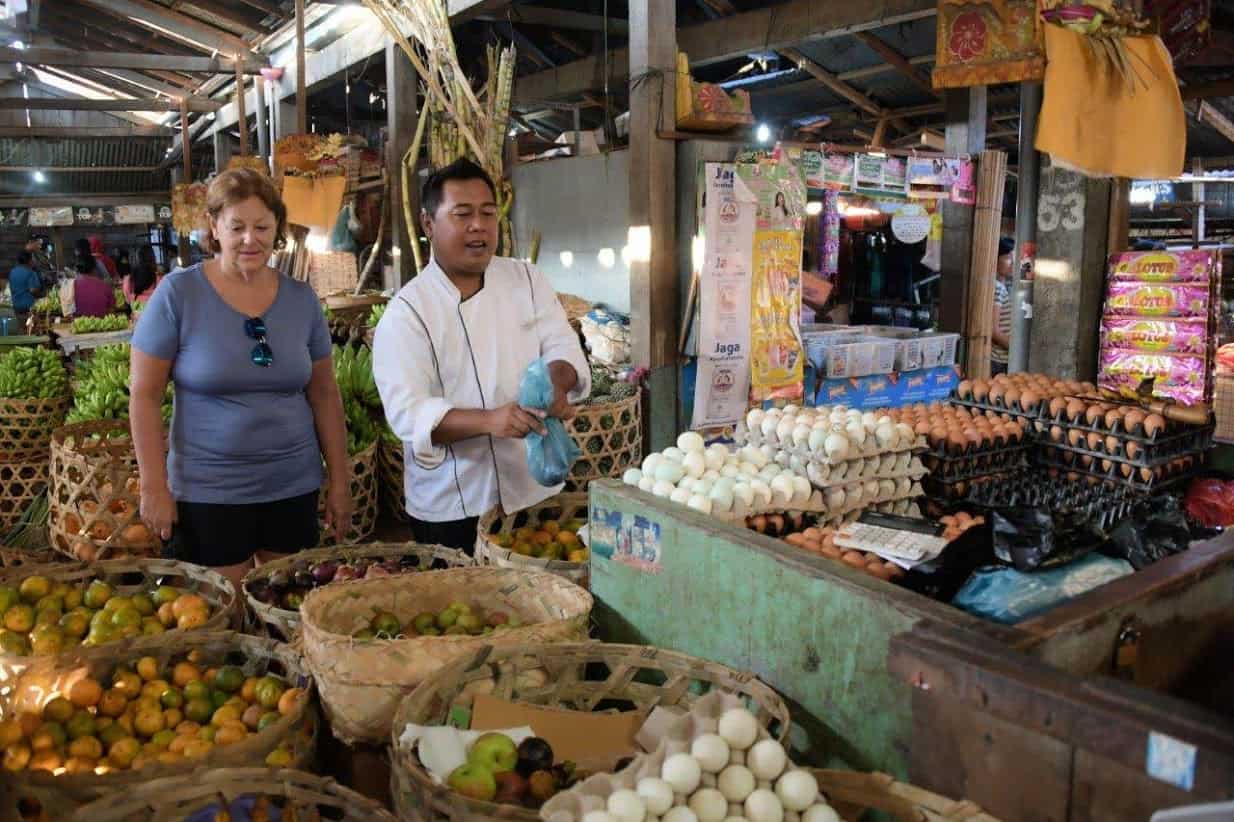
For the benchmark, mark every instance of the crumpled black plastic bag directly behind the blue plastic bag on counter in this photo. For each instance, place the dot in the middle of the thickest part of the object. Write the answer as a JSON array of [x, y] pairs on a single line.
[[1038, 539]]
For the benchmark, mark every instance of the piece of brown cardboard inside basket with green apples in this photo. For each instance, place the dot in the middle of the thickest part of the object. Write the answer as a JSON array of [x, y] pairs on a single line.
[[592, 741]]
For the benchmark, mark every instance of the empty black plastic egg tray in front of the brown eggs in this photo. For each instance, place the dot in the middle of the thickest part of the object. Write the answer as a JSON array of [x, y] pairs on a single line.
[[1104, 504]]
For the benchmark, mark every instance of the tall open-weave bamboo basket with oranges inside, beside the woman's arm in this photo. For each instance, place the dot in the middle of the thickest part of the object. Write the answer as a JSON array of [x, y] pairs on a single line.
[[94, 510]]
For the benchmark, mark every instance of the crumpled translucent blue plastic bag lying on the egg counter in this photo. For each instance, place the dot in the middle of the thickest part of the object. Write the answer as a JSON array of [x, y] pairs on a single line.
[[1008, 596]]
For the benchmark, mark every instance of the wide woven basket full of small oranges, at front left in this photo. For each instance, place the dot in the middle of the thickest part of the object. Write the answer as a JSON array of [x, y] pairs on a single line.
[[59, 797]]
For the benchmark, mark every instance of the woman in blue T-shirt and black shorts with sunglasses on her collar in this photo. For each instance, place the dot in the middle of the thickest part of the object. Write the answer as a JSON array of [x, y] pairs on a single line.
[[256, 399]]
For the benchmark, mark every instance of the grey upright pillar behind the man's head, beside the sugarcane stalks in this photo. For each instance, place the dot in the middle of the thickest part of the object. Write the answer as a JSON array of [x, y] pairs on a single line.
[[403, 88]]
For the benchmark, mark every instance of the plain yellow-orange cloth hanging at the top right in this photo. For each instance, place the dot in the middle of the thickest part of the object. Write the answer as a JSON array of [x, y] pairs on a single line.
[[1111, 114]]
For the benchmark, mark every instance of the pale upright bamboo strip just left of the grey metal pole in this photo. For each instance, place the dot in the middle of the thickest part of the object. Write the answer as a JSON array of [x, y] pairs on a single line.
[[992, 181]]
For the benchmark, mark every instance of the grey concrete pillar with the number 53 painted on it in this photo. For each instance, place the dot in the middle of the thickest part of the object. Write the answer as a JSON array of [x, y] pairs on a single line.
[[1073, 225]]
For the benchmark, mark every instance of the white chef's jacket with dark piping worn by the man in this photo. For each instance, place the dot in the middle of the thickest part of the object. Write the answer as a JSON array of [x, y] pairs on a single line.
[[434, 352]]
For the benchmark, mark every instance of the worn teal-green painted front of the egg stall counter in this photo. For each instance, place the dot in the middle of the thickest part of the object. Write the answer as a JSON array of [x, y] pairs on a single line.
[[814, 630]]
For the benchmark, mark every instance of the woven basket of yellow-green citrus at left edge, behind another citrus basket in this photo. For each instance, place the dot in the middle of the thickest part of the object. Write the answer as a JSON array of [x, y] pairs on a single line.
[[129, 577]]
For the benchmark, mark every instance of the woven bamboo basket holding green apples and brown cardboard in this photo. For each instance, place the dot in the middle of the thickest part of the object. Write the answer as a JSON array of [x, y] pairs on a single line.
[[576, 677]]
